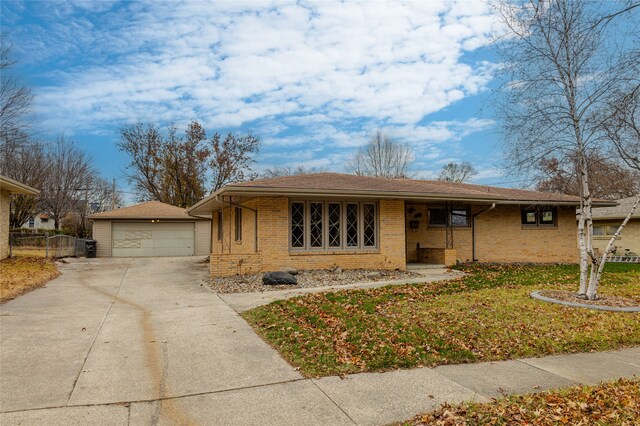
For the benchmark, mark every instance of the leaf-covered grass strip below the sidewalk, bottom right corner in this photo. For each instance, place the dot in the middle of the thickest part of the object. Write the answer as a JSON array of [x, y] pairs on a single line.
[[614, 403]]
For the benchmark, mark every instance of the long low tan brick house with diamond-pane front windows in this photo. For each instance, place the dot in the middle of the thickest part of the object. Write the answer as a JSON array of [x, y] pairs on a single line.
[[329, 219]]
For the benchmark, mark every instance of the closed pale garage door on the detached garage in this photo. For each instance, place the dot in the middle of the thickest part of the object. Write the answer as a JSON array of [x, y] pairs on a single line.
[[146, 239]]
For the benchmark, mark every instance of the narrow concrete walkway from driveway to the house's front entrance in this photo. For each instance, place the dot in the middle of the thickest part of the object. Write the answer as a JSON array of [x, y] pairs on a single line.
[[241, 302]]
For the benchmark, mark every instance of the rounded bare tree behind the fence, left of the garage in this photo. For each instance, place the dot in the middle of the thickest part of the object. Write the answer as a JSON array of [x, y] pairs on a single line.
[[69, 177]]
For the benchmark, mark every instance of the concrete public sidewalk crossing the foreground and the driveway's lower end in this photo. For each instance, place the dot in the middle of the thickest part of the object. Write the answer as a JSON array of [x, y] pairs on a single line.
[[364, 399]]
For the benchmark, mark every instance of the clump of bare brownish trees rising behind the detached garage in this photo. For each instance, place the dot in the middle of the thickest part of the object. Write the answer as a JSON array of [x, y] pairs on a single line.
[[173, 169]]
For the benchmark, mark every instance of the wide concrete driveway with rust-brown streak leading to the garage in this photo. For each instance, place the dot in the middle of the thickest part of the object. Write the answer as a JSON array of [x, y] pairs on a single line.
[[142, 341]]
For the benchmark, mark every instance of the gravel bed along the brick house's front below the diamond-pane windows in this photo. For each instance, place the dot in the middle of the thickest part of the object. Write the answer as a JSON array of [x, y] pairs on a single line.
[[306, 279]]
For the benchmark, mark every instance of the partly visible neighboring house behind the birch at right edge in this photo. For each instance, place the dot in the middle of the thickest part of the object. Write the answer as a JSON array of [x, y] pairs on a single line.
[[606, 221]]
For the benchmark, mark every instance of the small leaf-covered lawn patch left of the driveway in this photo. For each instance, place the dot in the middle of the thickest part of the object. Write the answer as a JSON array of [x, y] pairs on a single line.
[[20, 275]]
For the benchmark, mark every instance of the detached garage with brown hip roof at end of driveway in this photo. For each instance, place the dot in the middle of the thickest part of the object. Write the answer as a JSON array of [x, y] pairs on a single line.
[[150, 229]]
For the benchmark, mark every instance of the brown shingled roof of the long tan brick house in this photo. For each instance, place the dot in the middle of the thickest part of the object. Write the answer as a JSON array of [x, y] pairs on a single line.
[[337, 184]]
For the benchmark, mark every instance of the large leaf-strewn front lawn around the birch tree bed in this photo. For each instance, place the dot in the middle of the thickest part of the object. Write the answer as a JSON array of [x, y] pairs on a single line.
[[484, 316]]
